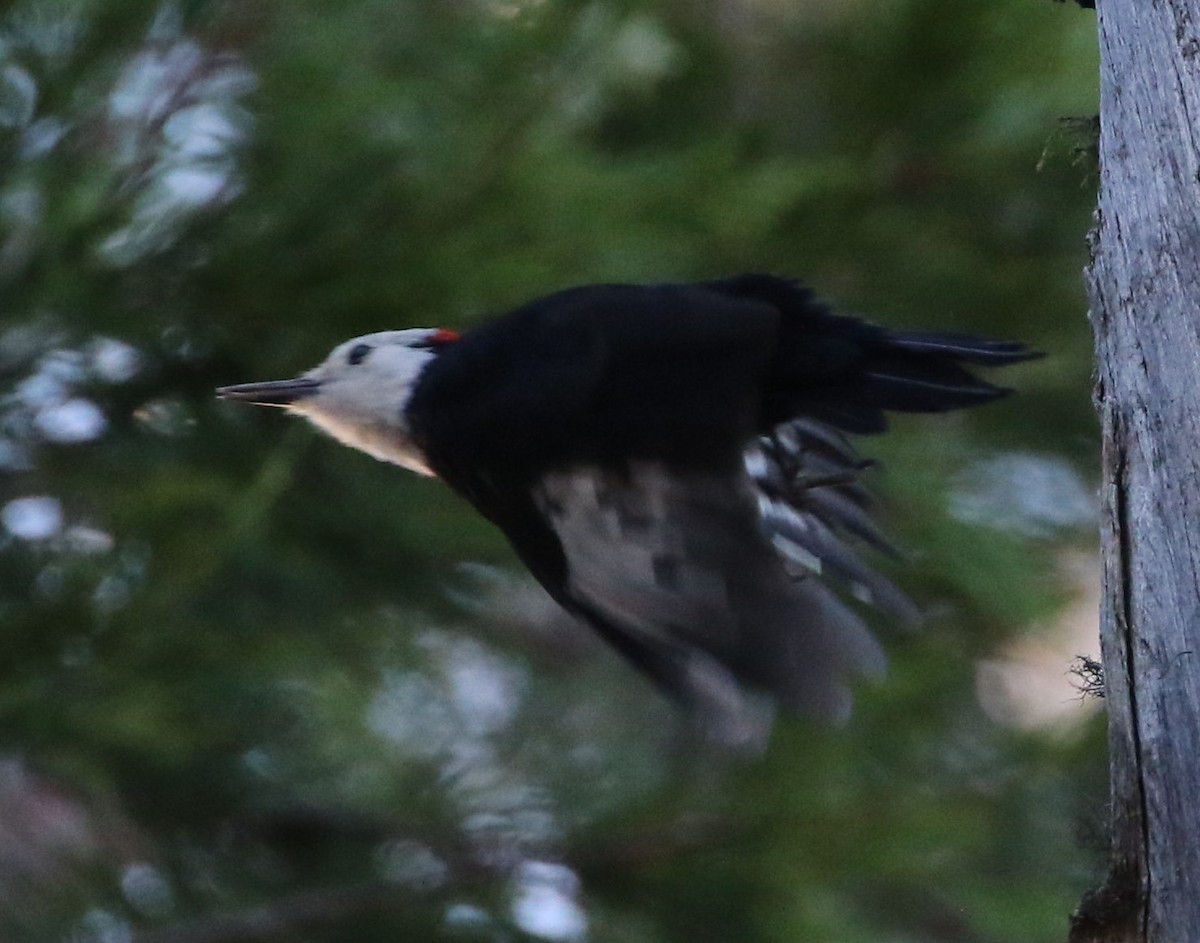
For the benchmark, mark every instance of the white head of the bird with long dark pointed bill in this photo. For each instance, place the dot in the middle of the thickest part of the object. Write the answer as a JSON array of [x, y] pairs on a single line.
[[361, 393]]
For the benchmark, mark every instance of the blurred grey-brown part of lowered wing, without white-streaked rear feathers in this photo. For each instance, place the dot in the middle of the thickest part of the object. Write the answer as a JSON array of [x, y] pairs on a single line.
[[683, 567]]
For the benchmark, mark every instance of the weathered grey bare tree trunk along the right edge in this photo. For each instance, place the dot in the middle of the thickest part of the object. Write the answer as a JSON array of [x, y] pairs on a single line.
[[1145, 310]]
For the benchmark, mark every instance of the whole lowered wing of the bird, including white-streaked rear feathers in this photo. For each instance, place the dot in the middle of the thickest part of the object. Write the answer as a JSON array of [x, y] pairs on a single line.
[[709, 581]]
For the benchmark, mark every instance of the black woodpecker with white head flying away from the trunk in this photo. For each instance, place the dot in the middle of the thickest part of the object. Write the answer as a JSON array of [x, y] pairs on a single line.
[[671, 463]]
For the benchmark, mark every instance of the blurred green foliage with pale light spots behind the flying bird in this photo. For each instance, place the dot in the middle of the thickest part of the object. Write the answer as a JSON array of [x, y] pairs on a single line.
[[239, 670]]
